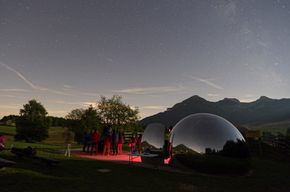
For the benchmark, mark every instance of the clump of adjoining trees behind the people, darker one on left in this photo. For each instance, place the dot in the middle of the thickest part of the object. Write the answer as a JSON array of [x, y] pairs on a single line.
[[111, 112]]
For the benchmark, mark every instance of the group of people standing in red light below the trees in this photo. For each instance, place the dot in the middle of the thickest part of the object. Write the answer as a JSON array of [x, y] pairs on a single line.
[[116, 140]]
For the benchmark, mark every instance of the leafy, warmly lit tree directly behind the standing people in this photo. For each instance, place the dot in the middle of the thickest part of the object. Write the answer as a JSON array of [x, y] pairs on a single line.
[[116, 113]]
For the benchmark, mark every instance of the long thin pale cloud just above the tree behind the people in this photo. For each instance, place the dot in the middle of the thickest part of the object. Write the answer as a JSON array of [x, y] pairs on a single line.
[[150, 90]]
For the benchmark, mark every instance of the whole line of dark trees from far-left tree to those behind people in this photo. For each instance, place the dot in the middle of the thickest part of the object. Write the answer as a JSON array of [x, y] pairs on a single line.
[[33, 122]]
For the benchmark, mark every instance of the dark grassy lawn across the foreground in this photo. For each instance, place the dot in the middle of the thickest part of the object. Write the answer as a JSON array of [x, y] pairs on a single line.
[[270, 173]]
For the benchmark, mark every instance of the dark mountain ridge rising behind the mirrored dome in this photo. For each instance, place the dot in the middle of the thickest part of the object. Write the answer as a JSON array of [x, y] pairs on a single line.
[[262, 110]]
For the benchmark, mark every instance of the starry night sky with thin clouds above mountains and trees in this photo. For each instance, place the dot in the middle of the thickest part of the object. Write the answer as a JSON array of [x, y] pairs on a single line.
[[68, 53]]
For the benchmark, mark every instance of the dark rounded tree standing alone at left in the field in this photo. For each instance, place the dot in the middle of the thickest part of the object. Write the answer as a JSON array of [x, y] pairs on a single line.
[[33, 123]]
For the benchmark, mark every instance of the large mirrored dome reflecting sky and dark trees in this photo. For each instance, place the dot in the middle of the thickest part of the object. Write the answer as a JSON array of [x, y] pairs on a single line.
[[207, 143]]
